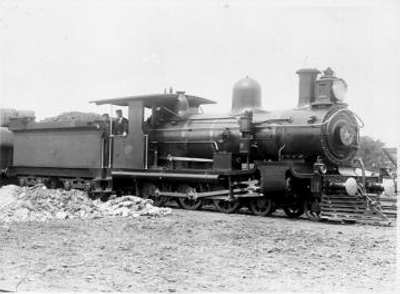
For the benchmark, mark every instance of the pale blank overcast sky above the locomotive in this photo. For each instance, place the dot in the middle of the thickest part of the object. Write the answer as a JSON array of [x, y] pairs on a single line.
[[56, 56]]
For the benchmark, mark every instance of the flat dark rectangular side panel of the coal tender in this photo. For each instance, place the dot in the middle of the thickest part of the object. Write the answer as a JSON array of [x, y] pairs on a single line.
[[65, 148]]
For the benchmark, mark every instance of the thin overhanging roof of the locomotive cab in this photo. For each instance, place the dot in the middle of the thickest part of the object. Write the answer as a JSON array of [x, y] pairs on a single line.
[[154, 99]]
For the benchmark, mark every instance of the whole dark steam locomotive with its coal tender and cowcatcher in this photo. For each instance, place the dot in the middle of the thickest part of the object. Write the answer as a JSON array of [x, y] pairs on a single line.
[[301, 160]]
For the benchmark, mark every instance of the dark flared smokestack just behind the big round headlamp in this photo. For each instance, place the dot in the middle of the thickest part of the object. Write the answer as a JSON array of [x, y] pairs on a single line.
[[307, 77]]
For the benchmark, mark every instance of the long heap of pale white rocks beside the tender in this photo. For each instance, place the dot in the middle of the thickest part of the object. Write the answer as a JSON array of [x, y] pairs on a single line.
[[41, 204]]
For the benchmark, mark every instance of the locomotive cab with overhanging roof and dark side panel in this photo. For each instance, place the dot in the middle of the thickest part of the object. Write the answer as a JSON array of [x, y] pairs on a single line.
[[134, 150]]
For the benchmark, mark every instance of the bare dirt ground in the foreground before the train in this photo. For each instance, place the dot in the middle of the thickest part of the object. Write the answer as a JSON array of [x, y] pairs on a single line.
[[197, 251]]
